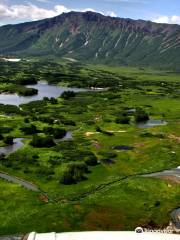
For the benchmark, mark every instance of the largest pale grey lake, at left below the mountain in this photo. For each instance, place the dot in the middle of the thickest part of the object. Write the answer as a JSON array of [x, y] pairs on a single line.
[[44, 90]]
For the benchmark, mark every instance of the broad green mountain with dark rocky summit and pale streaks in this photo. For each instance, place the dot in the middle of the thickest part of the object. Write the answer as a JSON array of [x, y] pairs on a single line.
[[96, 38]]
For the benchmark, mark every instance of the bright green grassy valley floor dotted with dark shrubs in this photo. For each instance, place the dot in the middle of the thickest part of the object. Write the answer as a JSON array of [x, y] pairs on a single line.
[[111, 195]]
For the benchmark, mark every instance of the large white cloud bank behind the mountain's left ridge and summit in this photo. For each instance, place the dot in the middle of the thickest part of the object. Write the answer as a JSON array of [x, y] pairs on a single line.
[[29, 12]]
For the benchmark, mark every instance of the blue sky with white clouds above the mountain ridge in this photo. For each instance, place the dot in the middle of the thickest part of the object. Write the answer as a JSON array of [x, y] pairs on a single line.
[[162, 11]]
